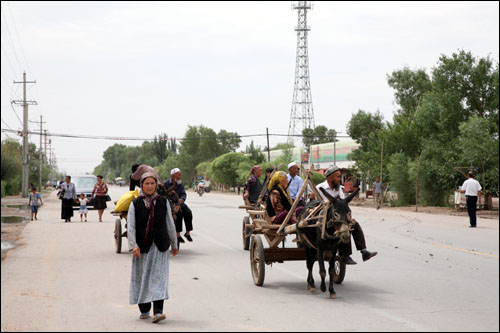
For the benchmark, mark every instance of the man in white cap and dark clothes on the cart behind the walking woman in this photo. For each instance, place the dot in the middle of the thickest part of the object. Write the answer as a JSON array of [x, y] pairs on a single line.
[[179, 199]]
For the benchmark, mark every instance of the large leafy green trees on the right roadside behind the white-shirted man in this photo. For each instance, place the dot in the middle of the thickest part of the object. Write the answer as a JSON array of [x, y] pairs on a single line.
[[445, 120]]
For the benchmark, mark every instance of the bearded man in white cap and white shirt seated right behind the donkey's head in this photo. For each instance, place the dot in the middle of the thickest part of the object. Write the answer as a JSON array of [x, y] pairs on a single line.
[[332, 186]]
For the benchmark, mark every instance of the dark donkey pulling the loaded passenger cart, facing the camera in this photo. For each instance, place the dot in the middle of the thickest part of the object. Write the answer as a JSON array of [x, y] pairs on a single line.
[[337, 230]]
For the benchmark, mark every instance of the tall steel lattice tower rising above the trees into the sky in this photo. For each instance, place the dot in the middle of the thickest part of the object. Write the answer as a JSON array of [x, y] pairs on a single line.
[[302, 115]]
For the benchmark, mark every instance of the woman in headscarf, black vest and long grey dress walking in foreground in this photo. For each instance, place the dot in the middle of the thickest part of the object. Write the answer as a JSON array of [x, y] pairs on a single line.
[[151, 231]]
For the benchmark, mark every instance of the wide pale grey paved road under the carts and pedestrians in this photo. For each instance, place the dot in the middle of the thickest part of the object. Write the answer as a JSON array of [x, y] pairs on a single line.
[[432, 273]]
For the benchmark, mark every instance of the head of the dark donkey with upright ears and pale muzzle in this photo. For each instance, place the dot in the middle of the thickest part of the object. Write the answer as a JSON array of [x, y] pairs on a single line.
[[339, 216]]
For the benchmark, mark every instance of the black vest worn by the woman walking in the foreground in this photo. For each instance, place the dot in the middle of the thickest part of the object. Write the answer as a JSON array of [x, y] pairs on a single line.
[[160, 232]]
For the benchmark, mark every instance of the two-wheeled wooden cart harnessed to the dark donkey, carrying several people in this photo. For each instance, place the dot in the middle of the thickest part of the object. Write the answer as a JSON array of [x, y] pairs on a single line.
[[257, 226]]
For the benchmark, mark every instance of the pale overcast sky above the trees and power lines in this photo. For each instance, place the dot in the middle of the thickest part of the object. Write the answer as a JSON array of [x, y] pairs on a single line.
[[138, 69]]
